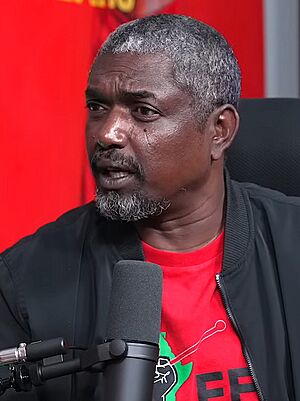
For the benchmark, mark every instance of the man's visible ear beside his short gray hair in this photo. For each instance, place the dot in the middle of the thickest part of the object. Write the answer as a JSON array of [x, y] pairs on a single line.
[[224, 124]]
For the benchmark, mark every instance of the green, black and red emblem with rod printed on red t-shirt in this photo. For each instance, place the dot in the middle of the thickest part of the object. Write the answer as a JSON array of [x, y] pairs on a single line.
[[170, 373]]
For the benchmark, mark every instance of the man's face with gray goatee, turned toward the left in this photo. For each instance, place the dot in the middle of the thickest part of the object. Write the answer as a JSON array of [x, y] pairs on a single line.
[[143, 140]]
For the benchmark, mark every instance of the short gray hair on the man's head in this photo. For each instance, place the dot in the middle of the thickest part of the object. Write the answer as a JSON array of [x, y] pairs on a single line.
[[204, 64]]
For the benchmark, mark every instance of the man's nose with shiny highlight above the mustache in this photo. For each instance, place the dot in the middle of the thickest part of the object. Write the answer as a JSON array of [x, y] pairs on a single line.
[[114, 132]]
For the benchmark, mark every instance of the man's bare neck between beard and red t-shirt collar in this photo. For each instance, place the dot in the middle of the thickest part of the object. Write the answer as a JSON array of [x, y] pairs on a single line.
[[189, 225]]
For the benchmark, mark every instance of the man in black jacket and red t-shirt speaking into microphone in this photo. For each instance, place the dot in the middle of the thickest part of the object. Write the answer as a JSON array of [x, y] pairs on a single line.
[[162, 98]]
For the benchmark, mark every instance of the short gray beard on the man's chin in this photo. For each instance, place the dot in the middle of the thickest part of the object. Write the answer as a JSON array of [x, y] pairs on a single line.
[[129, 207]]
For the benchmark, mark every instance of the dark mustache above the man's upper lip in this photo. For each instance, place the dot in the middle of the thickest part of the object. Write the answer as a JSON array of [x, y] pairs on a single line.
[[121, 161]]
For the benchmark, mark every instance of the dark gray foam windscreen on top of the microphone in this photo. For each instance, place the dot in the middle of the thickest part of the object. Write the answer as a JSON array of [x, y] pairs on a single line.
[[135, 304]]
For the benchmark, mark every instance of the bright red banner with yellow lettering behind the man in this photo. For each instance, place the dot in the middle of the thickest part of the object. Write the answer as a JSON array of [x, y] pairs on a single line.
[[47, 48]]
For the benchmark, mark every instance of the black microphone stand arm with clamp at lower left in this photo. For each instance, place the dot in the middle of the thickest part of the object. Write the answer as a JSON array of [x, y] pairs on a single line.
[[95, 359]]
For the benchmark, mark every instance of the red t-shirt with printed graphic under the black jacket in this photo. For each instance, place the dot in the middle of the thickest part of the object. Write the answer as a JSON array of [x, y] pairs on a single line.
[[201, 357]]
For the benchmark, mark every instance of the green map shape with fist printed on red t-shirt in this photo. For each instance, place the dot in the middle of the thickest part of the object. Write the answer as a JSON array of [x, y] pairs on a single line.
[[169, 378]]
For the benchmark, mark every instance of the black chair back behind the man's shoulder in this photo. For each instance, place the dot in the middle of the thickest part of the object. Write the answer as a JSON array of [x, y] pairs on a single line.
[[266, 150]]
